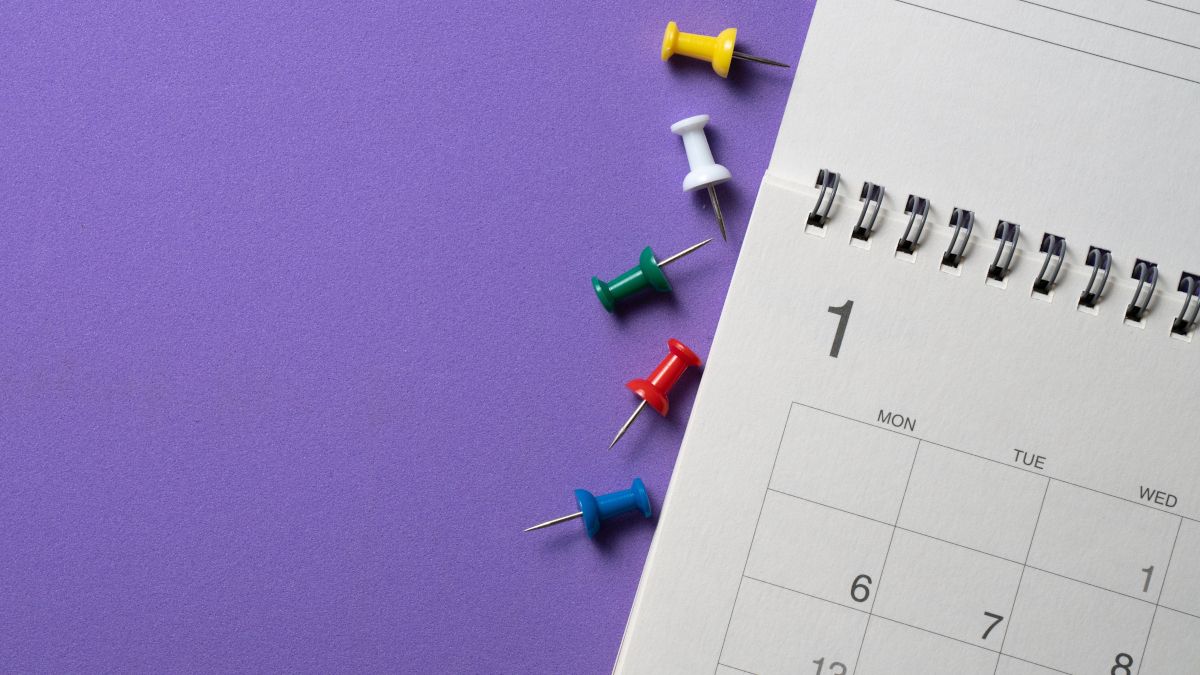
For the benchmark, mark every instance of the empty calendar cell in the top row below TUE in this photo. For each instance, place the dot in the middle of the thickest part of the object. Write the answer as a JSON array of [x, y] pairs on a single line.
[[969, 501]]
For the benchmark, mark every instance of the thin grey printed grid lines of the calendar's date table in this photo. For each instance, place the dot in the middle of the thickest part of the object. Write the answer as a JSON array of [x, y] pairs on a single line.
[[871, 612]]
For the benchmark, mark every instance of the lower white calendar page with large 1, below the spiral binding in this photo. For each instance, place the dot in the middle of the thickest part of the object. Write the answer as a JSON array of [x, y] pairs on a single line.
[[981, 481]]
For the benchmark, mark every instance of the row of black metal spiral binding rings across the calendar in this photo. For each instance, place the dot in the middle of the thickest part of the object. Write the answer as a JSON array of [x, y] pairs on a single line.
[[1007, 237]]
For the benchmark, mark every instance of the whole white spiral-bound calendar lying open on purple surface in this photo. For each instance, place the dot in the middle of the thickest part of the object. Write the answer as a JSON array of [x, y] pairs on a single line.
[[947, 423]]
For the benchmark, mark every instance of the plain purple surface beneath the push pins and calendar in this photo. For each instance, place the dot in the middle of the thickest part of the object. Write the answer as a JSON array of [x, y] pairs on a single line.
[[297, 328]]
